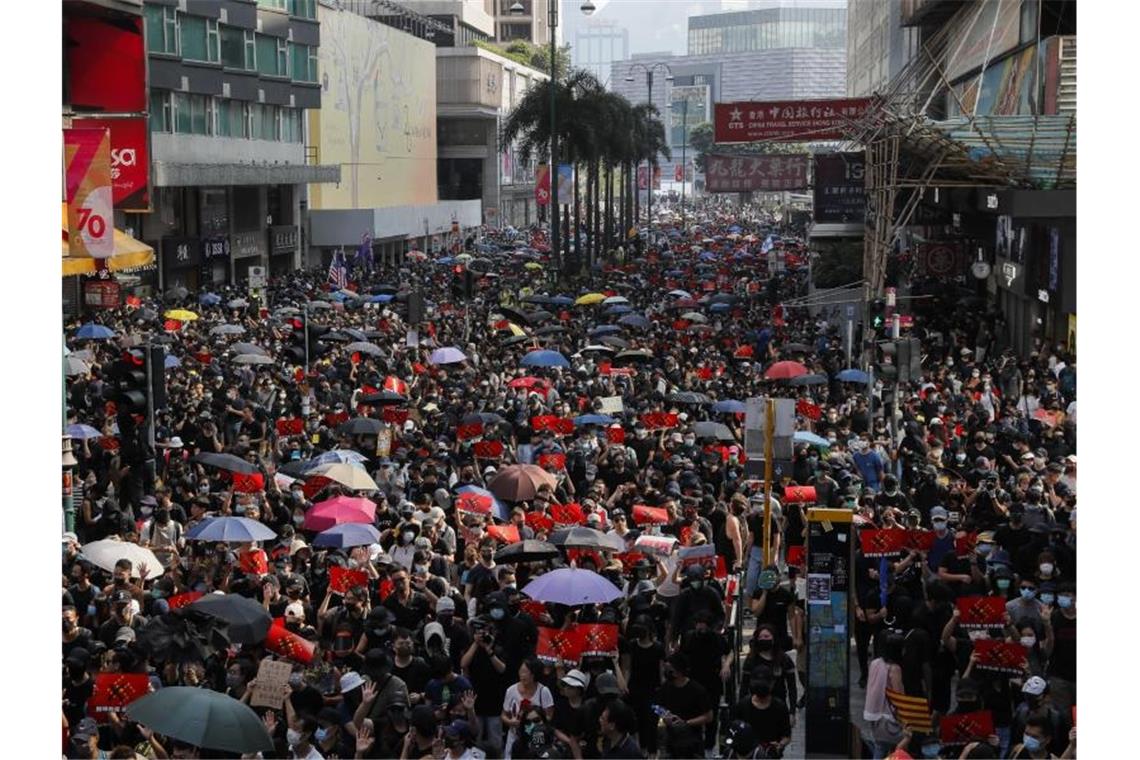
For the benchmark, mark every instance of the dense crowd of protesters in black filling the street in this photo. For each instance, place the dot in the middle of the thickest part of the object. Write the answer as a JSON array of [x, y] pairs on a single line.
[[436, 655]]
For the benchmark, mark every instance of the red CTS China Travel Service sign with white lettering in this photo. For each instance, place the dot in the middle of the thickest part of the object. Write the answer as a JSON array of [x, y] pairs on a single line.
[[795, 121]]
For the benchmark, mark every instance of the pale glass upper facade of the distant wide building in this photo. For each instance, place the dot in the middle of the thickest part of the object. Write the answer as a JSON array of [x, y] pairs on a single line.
[[768, 30]]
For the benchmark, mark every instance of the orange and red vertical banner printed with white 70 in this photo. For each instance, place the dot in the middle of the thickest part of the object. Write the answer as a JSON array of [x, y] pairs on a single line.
[[87, 157]]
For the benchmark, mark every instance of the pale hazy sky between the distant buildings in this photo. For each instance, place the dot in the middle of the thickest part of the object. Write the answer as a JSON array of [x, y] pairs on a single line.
[[655, 26]]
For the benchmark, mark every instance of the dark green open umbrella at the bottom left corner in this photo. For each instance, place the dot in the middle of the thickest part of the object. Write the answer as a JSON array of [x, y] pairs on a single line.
[[207, 720]]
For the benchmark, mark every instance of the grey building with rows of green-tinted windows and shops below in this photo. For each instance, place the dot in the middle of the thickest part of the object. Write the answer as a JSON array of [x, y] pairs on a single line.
[[230, 87]]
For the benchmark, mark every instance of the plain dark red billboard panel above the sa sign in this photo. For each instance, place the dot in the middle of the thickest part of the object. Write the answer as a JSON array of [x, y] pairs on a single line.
[[107, 64]]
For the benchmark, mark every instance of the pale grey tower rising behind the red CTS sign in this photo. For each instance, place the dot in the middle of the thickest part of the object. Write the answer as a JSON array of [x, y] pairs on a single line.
[[878, 45]]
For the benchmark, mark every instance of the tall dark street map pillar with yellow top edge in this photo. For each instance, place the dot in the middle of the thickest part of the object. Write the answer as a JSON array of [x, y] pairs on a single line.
[[829, 568]]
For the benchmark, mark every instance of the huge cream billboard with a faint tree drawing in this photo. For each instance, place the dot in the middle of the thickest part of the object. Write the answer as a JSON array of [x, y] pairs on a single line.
[[377, 117]]
